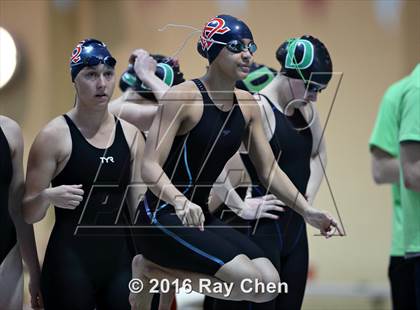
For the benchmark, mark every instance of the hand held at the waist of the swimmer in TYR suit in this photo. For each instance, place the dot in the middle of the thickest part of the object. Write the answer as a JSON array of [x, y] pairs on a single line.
[[65, 196]]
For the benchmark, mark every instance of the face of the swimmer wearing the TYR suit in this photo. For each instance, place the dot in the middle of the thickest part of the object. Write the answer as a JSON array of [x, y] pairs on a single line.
[[95, 84]]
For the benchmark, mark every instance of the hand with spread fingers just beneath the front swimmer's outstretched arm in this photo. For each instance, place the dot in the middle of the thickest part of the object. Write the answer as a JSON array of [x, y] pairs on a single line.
[[260, 207]]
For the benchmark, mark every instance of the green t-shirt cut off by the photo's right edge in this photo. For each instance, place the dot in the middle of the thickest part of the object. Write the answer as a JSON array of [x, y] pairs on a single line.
[[409, 130]]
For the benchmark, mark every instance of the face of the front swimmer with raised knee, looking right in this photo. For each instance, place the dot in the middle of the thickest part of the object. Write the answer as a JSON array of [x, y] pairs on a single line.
[[235, 65]]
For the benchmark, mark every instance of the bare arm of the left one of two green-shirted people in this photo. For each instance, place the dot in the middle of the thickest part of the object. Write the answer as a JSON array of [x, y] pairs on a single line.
[[385, 167]]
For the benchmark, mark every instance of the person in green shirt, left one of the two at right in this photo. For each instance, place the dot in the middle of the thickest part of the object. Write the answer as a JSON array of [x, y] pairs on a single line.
[[384, 148]]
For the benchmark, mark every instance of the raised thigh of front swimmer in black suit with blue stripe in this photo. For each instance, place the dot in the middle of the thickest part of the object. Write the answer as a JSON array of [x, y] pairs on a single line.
[[190, 249]]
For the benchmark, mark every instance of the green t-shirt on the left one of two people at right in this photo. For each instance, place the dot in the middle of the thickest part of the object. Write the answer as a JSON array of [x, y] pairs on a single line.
[[385, 137]]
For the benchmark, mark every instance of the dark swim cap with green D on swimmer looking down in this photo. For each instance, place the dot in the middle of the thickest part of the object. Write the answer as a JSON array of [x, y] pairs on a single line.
[[301, 57]]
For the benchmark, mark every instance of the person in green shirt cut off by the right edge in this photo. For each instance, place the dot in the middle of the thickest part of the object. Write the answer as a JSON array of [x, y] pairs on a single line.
[[409, 142]]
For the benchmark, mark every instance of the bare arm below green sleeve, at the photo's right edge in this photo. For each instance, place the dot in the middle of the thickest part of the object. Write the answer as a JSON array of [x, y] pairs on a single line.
[[410, 164]]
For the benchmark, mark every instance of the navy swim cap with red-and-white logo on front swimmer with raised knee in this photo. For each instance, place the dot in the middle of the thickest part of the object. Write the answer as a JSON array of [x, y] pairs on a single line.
[[222, 28]]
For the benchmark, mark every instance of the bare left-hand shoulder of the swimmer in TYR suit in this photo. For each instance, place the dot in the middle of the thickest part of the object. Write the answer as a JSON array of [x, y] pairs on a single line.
[[54, 137]]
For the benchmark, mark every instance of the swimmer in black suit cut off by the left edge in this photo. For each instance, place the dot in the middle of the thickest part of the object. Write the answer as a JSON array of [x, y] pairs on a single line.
[[17, 237]]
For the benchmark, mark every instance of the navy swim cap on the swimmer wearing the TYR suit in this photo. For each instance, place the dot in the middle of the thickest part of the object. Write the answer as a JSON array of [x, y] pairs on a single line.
[[88, 53]]
